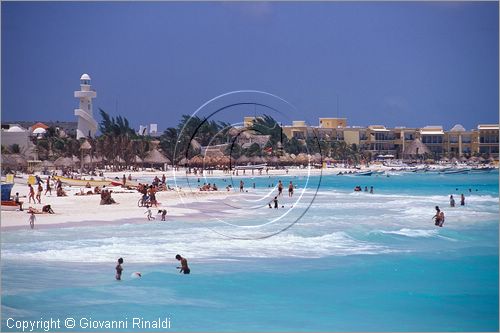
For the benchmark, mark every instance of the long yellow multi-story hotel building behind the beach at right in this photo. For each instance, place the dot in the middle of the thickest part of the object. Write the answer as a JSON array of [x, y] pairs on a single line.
[[379, 140]]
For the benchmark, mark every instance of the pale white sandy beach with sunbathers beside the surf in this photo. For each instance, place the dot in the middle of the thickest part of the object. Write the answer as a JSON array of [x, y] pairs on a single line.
[[86, 209]]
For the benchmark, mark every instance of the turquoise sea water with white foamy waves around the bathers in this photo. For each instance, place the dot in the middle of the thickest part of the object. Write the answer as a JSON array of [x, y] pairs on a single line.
[[345, 262]]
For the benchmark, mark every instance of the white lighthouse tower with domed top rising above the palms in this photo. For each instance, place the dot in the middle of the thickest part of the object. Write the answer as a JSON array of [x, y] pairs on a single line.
[[87, 126]]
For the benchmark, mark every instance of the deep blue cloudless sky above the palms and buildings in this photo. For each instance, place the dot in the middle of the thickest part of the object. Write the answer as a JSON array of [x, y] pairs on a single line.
[[396, 64]]
